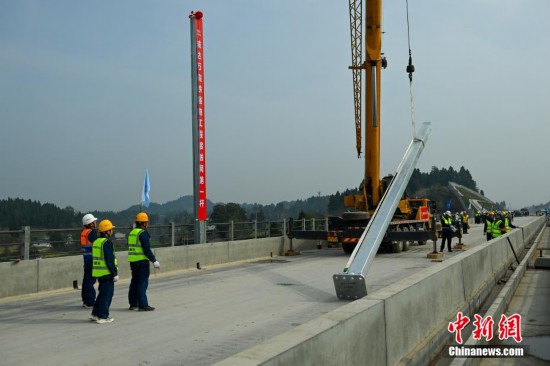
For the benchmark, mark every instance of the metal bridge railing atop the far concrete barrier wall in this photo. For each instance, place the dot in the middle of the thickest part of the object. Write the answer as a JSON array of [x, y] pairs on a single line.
[[32, 243]]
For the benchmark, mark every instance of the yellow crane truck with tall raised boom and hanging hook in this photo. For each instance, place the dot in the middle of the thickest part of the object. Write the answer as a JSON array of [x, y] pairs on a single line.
[[413, 219]]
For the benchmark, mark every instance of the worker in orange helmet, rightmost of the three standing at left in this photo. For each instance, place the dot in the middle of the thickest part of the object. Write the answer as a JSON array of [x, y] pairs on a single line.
[[139, 255]]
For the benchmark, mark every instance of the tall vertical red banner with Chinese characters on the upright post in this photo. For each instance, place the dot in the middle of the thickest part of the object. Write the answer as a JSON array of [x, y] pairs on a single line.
[[201, 143]]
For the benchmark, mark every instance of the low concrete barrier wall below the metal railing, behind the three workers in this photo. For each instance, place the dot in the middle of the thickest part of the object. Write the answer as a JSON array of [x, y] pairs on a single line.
[[27, 277]]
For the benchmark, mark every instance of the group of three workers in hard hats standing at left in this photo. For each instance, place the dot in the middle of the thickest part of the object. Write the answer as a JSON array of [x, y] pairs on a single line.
[[100, 263]]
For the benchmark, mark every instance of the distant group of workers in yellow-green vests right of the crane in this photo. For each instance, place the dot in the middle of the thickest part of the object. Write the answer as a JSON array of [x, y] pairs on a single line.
[[496, 223]]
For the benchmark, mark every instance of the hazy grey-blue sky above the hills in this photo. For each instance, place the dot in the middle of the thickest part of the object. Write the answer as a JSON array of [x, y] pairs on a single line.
[[93, 93]]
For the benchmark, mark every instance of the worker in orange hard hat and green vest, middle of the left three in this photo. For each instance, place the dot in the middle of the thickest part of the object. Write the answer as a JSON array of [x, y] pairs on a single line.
[[105, 270]]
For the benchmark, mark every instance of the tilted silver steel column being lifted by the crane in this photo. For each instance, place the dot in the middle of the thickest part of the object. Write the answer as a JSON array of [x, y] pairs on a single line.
[[350, 284]]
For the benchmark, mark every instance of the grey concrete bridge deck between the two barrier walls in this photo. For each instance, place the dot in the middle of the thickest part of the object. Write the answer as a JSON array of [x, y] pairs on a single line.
[[202, 317]]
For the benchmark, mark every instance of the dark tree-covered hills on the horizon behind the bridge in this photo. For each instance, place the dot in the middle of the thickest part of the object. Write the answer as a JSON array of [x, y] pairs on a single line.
[[434, 185]]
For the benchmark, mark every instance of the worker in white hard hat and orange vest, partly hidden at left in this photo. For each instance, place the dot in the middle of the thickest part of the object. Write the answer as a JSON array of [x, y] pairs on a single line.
[[87, 237]]
